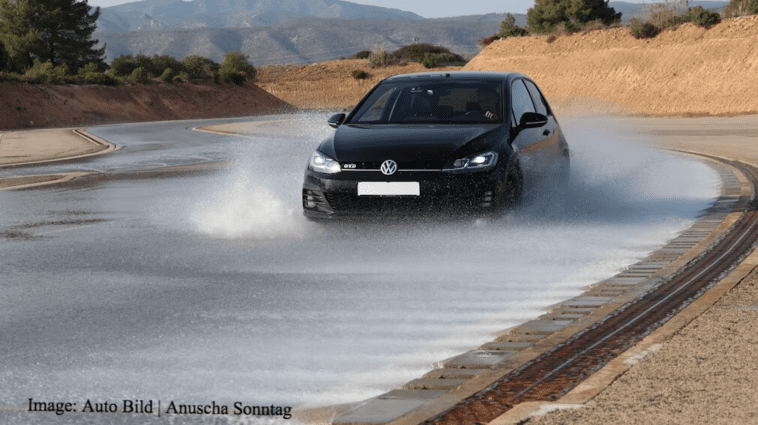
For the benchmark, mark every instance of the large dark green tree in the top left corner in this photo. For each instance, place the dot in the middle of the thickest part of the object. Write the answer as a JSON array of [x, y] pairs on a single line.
[[55, 31]]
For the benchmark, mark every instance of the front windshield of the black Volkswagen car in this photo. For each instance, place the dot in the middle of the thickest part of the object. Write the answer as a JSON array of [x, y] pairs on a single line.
[[432, 102]]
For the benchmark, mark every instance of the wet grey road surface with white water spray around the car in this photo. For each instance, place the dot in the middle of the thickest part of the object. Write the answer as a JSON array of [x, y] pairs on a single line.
[[211, 286]]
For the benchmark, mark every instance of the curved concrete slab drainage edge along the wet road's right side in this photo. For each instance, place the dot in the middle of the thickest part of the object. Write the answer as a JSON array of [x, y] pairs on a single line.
[[461, 391]]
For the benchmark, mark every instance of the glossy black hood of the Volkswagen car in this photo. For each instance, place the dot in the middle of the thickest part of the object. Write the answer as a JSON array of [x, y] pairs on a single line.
[[406, 143]]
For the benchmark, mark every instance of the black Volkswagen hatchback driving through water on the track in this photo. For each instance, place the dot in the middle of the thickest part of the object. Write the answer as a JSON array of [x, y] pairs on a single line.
[[437, 142]]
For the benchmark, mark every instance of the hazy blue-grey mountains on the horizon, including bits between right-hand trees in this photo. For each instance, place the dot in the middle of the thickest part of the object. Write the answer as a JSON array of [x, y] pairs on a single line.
[[292, 31]]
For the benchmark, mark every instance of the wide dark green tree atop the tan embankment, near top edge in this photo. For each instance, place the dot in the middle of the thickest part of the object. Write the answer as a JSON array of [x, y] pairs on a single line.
[[547, 14]]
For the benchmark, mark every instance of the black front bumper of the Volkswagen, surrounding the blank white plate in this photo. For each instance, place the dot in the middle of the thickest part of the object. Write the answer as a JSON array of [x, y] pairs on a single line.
[[326, 196]]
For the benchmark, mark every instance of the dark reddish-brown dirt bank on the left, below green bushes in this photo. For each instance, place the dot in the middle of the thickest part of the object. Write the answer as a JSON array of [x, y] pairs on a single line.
[[35, 106]]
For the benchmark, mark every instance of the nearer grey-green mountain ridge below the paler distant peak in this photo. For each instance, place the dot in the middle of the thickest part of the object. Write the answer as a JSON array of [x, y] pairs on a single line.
[[305, 40]]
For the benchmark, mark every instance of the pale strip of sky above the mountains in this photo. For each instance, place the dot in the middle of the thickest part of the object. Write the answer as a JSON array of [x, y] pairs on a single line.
[[426, 8]]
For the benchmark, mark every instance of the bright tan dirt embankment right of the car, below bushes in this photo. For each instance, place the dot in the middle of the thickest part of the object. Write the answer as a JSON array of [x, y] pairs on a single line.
[[685, 71]]
